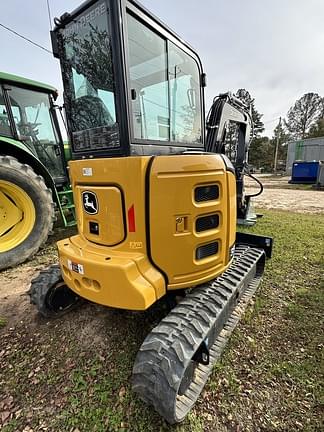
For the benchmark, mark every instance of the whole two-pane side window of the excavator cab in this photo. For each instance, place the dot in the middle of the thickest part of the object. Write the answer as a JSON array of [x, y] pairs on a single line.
[[165, 88]]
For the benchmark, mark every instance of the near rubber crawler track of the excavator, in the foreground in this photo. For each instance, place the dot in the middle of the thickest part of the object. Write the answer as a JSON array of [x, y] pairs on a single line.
[[166, 373]]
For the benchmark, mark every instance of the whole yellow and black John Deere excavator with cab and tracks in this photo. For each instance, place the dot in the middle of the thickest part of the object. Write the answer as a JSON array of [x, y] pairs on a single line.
[[156, 197]]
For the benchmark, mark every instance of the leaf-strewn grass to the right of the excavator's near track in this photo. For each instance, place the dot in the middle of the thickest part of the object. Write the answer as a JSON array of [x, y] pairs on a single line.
[[276, 356]]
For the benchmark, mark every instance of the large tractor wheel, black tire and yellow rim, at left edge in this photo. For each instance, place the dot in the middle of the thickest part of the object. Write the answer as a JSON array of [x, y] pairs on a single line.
[[26, 212]]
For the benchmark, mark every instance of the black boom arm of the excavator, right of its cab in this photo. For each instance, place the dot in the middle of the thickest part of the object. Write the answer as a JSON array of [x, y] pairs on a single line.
[[228, 108]]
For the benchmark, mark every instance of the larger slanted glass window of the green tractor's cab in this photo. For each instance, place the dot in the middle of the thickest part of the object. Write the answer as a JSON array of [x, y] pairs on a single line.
[[34, 123]]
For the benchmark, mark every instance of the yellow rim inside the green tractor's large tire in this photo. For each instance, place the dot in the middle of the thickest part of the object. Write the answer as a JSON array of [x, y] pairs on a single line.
[[17, 215]]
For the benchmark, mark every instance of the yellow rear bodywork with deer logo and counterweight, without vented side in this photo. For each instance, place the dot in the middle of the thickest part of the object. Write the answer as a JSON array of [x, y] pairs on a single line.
[[124, 277]]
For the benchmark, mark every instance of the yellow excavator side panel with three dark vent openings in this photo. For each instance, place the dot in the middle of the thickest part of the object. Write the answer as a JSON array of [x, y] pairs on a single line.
[[173, 181]]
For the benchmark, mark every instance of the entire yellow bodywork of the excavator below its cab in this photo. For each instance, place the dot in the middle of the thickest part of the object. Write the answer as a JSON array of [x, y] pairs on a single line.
[[147, 238]]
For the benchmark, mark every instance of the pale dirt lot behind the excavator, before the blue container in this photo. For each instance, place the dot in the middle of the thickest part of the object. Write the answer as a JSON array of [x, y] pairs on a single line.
[[278, 194]]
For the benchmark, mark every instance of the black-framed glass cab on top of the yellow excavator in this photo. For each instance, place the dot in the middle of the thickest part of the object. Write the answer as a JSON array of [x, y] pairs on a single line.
[[132, 86]]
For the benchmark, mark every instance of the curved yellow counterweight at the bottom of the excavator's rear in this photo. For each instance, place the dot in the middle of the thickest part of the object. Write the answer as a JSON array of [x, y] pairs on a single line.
[[123, 280]]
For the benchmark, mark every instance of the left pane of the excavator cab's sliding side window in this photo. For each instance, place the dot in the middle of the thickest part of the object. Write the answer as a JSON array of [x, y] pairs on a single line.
[[149, 82]]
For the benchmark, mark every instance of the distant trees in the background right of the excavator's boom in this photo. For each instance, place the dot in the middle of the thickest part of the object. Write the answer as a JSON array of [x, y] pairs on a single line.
[[305, 119]]
